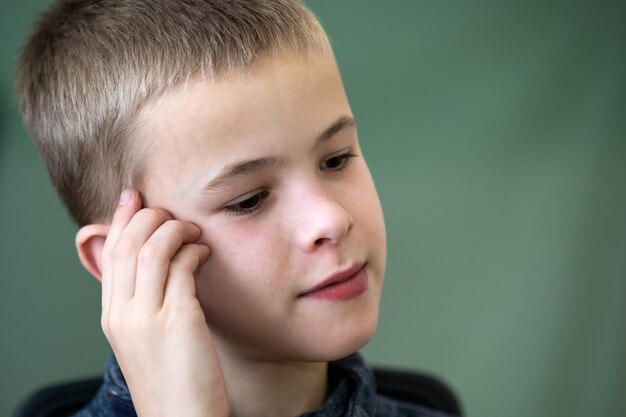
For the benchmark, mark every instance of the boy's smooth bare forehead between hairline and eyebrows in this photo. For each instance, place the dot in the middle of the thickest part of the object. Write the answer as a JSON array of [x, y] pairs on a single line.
[[282, 99]]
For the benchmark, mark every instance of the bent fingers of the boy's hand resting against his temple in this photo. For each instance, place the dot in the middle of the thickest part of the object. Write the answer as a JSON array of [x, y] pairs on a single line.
[[142, 248]]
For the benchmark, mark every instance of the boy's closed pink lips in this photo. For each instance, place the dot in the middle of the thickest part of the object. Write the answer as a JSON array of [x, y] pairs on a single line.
[[340, 286]]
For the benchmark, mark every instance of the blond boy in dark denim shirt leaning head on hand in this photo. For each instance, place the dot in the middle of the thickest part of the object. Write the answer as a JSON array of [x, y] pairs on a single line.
[[247, 248]]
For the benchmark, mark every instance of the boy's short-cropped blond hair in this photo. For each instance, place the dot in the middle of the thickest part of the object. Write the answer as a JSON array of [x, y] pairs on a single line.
[[90, 65]]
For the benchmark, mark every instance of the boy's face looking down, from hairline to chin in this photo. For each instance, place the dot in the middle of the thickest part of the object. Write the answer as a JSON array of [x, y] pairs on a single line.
[[268, 165]]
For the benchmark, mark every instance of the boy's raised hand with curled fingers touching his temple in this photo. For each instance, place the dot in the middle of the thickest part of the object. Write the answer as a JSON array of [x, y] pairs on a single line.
[[151, 316]]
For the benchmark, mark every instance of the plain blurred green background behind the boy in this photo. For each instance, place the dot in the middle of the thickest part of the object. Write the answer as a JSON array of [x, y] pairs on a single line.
[[496, 132]]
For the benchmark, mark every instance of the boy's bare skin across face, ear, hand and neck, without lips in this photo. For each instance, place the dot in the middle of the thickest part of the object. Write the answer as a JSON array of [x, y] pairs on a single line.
[[203, 287]]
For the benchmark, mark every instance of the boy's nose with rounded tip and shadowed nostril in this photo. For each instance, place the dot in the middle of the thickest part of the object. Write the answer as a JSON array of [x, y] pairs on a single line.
[[322, 221]]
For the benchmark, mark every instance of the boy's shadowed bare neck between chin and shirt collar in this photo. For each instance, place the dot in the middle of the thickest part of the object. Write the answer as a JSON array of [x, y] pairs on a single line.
[[269, 388]]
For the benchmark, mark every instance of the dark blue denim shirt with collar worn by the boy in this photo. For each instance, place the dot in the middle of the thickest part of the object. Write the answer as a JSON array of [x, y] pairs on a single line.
[[354, 395]]
